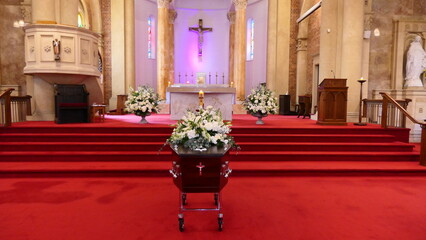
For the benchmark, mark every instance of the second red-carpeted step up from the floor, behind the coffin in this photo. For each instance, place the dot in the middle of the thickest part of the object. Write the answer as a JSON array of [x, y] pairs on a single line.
[[85, 156]]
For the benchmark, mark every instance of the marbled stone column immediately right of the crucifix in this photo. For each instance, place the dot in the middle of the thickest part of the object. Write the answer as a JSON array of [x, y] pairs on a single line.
[[240, 47]]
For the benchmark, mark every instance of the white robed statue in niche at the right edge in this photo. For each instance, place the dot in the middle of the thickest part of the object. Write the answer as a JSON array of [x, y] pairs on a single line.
[[416, 63]]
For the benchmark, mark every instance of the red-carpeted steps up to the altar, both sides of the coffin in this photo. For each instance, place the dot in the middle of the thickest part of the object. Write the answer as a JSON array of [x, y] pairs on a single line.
[[284, 145]]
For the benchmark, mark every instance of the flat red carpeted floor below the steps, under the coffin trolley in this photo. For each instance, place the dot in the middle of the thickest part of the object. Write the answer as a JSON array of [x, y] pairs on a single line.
[[291, 208]]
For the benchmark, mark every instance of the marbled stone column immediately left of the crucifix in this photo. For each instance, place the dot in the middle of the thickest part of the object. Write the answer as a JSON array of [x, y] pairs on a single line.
[[162, 44]]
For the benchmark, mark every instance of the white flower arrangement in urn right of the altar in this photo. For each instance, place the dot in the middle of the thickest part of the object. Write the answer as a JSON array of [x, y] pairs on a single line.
[[261, 102]]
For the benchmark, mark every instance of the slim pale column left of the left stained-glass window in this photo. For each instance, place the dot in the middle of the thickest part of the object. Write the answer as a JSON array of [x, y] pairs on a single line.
[[129, 35]]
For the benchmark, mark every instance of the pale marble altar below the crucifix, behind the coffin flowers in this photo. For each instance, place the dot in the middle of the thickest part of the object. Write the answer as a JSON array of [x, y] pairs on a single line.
[[182, 97]]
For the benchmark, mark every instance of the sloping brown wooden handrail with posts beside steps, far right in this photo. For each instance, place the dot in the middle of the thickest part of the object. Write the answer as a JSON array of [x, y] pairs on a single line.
[[388, 100]]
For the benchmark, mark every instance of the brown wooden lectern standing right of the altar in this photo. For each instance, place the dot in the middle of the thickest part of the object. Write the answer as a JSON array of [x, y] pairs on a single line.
[[332, 102]]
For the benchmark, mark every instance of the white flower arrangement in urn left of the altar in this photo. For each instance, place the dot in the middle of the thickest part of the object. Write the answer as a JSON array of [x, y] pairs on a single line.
[[142, 102]]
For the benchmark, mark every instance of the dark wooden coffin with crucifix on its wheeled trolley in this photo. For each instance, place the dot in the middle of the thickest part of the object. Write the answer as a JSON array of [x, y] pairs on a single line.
[[200, 172]]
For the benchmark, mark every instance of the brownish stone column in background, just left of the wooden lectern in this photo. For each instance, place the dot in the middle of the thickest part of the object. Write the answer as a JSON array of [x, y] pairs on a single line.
[[302, 63]]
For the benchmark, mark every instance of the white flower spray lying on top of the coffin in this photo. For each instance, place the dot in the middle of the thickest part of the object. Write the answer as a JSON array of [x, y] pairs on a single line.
[[200, 129]]
